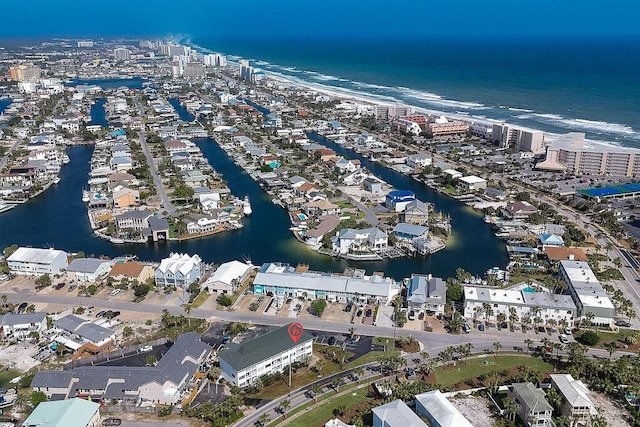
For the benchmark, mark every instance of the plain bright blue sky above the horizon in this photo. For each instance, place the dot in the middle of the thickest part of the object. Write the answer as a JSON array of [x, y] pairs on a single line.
[[325, 18]]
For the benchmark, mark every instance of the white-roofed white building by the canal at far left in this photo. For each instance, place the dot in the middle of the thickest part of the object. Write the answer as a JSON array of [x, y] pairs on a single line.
[[34, 261]]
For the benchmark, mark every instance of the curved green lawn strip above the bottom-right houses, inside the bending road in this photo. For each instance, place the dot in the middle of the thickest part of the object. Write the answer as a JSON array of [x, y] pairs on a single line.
[[473, 368]]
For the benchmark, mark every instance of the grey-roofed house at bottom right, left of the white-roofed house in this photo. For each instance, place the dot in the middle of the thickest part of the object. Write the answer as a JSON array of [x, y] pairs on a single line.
[[533, 408]]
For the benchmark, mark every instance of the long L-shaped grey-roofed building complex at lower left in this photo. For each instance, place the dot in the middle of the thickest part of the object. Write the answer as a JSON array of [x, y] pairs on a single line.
[[166, 383]]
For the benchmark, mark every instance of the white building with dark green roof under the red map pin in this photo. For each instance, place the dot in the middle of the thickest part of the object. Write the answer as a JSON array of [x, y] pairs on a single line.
[[242, 364]]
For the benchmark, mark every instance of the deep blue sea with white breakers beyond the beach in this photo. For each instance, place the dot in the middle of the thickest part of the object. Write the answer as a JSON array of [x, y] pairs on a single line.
[[557, 86]]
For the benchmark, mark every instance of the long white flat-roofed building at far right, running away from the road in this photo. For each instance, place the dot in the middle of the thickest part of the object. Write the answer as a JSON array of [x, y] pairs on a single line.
[[587, 292]]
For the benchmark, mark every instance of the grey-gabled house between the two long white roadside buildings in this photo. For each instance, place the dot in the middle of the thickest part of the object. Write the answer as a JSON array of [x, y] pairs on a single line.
[[426, 294]]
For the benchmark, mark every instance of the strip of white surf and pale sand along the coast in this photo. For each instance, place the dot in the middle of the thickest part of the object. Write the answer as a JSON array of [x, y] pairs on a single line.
[[347, 94]]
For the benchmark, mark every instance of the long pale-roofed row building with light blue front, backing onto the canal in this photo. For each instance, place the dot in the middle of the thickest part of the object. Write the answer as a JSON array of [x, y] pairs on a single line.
[[278, 279]]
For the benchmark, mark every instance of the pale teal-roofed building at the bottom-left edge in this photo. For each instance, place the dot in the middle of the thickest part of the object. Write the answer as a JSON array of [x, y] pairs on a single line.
[[74, 412]]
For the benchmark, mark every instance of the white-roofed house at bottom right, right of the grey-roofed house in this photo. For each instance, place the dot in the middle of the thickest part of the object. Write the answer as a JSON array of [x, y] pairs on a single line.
[[576, 403]]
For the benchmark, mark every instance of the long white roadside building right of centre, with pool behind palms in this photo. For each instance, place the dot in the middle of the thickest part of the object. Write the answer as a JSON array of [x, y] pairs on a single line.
[[544, 305]]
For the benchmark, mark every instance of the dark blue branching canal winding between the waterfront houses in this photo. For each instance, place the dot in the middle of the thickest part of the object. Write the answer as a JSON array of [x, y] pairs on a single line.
[[58, 218]]
